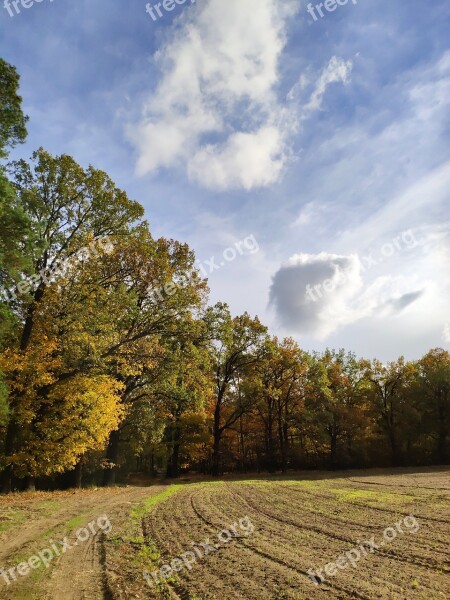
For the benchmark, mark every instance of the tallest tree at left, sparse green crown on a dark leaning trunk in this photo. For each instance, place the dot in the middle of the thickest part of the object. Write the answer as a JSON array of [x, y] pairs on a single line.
[[68, 208]]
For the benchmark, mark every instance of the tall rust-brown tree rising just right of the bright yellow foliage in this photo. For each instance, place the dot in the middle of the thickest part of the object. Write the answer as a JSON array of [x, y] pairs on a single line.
[[160, 285]]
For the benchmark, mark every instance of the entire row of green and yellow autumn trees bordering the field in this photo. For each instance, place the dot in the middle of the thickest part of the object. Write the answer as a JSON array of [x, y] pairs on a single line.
[[100, 376]]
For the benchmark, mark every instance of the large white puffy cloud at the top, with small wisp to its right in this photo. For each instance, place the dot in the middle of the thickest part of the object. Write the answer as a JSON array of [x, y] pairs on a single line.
[[215, 112]]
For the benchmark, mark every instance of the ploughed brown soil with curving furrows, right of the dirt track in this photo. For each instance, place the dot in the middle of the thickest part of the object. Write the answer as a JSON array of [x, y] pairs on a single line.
[[304, 524]]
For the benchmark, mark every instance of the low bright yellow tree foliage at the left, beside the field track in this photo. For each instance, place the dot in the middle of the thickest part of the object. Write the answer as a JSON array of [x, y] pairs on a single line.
[[58, 418]]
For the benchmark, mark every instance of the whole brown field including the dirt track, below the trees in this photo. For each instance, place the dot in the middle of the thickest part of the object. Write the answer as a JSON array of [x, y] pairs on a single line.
[[253, 538]]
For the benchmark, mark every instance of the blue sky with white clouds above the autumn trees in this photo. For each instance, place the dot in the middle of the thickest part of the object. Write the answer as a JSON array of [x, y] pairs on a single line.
[[302, 152]]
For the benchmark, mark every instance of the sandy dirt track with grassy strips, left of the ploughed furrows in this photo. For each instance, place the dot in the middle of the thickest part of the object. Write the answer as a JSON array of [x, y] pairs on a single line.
[[79, 573]]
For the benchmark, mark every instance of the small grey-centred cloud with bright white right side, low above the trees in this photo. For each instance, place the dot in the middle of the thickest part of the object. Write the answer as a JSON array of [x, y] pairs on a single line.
[[322, 293]]
